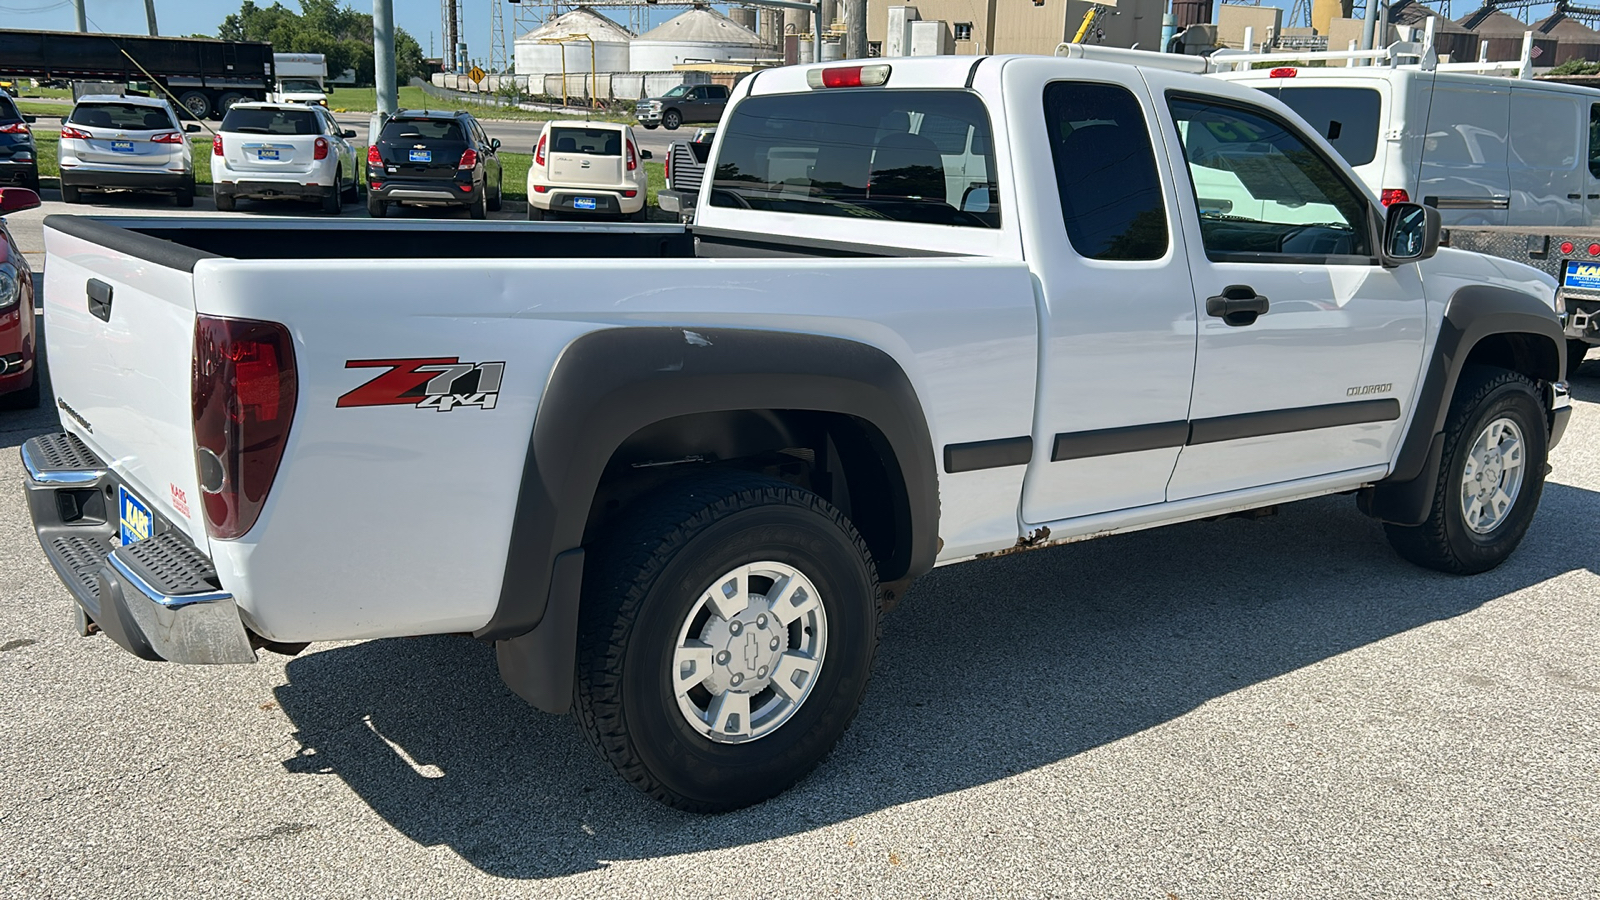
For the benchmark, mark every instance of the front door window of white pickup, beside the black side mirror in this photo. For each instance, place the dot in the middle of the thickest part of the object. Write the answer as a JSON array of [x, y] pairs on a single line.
[[1265, 195]]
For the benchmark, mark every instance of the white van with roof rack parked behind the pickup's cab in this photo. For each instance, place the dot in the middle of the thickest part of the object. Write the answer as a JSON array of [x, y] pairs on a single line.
[[1484, 150]]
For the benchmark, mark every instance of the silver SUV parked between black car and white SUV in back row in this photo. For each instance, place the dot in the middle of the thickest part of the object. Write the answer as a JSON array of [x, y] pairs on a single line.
[[126, 143]]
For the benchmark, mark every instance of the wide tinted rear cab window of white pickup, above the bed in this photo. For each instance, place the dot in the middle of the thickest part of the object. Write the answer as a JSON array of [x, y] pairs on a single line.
[[911, 156]]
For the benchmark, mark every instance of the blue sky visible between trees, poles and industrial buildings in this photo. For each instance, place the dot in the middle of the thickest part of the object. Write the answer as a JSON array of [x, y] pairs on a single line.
[[417, 17]]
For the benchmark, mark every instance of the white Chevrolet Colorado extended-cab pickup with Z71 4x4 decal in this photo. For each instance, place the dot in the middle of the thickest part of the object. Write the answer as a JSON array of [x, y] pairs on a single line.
[[929, 311]]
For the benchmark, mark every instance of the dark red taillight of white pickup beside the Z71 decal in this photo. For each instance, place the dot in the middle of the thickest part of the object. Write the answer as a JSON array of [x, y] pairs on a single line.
[[242, 393]]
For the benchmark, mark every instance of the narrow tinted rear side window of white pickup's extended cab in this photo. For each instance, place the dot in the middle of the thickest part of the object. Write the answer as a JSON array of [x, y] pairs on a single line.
[[1111, 195]]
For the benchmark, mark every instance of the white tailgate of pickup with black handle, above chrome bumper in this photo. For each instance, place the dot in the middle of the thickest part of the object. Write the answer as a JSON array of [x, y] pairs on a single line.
[[122, 369]]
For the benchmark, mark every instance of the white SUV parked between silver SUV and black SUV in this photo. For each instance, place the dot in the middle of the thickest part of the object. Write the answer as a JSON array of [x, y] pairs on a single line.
[[268, 151]]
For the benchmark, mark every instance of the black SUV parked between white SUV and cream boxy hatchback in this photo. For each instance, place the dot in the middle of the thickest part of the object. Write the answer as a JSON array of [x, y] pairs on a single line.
[[436, 159]]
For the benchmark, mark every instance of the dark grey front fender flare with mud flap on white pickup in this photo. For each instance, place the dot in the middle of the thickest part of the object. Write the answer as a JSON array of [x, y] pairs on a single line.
[[1473, 315]]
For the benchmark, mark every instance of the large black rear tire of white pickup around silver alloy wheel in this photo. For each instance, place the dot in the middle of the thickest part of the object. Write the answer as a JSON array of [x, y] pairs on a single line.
[[649, 584]]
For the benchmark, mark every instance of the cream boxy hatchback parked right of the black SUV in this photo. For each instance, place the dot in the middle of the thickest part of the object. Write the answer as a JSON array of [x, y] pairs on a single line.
[[588, 169]]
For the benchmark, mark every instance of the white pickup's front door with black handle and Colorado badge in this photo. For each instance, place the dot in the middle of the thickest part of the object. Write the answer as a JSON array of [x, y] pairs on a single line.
[[1308, 350]]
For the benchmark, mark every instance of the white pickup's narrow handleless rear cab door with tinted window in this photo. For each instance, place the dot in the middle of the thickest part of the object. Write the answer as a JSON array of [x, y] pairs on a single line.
[[1116, 308]]
